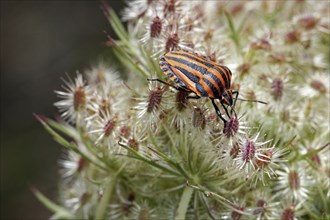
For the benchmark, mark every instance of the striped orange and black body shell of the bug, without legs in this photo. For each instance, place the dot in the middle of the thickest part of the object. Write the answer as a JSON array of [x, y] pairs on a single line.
[[201, 76]]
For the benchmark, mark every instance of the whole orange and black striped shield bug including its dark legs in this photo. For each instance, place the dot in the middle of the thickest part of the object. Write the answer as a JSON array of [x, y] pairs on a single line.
[[196, 74]]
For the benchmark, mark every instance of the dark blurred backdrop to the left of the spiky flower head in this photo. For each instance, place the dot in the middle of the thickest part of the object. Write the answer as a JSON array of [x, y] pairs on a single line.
[[40, 42]]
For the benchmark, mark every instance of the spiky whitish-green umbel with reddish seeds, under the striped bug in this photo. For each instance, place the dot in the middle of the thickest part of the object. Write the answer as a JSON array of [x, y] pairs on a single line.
[[140, 145]]
